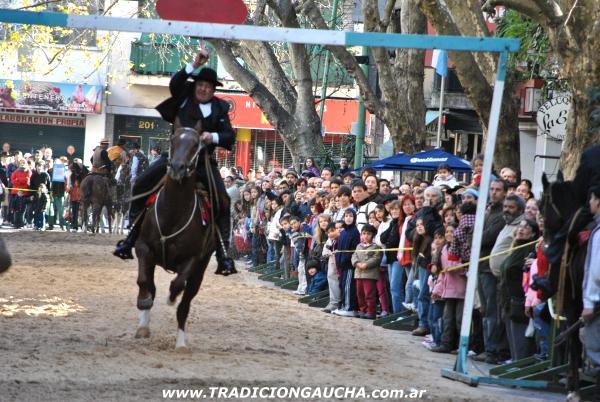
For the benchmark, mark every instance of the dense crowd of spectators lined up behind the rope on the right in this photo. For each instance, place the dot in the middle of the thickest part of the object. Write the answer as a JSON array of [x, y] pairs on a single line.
[[381, 249]]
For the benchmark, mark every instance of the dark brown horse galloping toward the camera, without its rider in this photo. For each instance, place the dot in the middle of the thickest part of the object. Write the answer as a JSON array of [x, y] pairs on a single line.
[[174, 234]]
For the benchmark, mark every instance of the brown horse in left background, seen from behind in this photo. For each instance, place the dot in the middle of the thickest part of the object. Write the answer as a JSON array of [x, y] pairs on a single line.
[[95, 191]]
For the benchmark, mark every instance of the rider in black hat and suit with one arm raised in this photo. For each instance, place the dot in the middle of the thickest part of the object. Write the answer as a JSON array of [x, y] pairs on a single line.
[[190, 103]]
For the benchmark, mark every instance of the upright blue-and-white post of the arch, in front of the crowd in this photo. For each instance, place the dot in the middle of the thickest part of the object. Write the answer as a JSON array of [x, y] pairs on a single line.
[[461, 359]]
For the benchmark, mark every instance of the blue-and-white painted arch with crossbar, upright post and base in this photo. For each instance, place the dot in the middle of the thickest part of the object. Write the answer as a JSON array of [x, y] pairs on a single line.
[[333, 38]]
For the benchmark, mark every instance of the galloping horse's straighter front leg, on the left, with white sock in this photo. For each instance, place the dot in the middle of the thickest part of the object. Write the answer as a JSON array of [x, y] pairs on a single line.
[[147, 289]]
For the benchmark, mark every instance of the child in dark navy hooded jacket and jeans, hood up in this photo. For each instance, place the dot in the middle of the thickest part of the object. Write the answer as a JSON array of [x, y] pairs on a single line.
[[349, 239]]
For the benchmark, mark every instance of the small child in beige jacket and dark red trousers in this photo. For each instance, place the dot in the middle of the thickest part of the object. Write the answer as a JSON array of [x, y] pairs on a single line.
[[366, 262]]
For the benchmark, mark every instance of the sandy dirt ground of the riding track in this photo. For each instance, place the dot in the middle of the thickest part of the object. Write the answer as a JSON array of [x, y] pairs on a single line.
[[68, 318]]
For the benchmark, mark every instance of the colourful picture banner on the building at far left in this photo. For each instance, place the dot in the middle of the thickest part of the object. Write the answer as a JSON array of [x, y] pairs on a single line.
[[50, 96]]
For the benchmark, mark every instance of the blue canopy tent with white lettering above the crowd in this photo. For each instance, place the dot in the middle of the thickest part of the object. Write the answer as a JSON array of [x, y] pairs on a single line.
[[423, 161]]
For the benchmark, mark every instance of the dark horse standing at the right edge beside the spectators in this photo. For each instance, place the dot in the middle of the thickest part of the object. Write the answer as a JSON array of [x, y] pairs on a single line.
[[565, 216]]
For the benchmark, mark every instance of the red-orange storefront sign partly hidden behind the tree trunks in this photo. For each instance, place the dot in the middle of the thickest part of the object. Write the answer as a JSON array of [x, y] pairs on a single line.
[[338, 118]]
